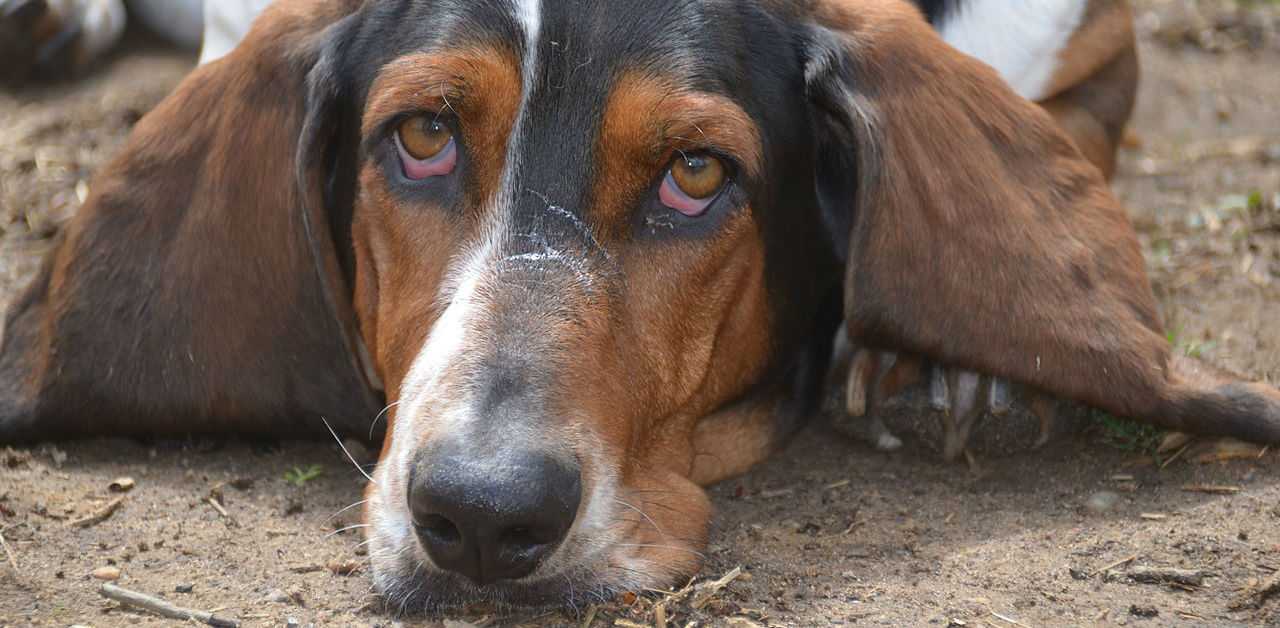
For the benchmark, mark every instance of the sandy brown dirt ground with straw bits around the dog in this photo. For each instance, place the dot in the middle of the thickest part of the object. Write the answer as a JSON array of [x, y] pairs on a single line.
[[830, 531]]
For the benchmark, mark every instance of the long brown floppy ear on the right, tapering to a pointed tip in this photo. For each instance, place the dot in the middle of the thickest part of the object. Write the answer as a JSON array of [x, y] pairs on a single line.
[[981, 237]]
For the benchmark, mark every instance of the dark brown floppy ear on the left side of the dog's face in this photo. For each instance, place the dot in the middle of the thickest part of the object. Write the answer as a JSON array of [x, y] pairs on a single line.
[[199, 290]]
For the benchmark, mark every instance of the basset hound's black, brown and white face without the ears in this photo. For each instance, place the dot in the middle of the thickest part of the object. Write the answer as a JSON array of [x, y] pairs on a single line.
[[564, 227]]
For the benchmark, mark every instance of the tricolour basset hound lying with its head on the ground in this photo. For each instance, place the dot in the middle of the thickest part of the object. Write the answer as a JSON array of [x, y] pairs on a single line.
[[579, 259]]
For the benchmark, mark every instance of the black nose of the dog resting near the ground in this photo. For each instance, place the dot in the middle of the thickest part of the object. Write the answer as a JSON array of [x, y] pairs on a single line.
[[492, 519]]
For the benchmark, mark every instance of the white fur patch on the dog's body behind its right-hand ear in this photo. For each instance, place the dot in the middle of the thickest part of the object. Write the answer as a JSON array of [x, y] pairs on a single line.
[[1021, 40]]
